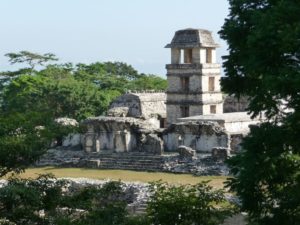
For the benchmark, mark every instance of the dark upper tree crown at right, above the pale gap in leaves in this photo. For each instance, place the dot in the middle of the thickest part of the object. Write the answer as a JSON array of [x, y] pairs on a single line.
[[264, 56]]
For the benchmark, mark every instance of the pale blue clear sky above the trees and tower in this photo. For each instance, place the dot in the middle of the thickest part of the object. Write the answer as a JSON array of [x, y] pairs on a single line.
[[131, 31]]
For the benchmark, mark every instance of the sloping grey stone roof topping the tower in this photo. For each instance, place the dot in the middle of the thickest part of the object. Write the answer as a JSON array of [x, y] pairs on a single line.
[[192, 38]]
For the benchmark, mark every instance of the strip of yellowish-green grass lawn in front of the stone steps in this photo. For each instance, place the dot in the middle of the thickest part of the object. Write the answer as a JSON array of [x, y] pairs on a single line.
[[125, 175]]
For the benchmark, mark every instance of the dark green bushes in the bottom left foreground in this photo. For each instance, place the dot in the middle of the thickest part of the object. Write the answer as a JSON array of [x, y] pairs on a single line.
[[42, 201]]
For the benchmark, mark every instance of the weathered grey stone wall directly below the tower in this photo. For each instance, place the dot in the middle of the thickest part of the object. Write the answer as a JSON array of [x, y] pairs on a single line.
[[197, 135]]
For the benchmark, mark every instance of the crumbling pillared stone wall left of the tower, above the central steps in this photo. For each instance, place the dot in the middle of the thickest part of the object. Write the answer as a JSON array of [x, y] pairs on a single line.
[[120, 134]]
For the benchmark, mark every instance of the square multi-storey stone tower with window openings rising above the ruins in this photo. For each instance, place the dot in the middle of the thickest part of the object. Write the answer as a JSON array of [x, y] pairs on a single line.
[[193, 76]]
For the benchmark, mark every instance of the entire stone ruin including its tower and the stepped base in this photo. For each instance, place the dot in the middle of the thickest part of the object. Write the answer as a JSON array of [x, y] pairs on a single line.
[[147, 130]]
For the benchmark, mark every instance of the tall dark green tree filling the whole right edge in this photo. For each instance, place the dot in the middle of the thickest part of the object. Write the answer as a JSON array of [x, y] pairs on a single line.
[[264, 64]]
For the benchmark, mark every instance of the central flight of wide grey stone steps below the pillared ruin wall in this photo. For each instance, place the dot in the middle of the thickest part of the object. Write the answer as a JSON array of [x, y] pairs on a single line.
[[127, 161]]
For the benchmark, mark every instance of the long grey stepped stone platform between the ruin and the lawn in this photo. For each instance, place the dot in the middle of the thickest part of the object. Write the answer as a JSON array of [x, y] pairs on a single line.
[[201, 165]]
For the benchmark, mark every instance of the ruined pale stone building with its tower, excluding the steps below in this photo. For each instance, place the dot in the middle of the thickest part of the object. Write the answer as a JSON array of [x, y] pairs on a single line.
[[193, 104]]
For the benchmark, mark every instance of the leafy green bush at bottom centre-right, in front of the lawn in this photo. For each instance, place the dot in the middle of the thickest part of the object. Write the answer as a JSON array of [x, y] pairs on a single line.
[[187, 204]]
